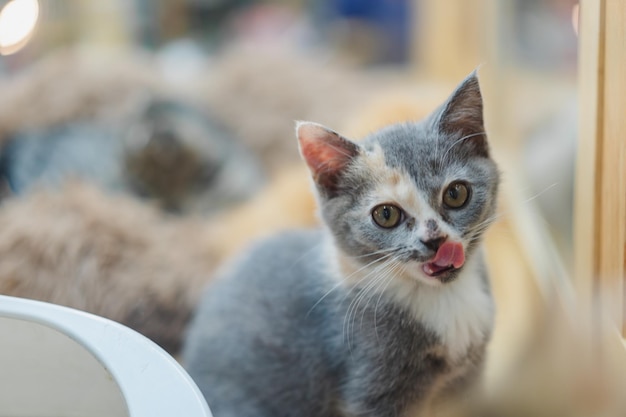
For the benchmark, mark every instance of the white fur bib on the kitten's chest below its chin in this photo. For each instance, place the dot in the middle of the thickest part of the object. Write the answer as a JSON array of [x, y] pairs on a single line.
[[459, 314]]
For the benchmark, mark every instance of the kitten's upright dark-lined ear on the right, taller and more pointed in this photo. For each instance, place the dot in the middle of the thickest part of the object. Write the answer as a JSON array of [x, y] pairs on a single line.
[[463, 115]]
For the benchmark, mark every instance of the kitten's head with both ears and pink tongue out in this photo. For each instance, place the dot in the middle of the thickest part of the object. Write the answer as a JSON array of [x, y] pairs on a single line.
[[415, 197]]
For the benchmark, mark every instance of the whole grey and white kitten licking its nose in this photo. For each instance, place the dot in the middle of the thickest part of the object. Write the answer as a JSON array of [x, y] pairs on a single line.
[[387, 307]]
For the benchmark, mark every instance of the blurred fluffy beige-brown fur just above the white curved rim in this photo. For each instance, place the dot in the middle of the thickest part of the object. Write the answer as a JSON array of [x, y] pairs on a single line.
[[109, 255]]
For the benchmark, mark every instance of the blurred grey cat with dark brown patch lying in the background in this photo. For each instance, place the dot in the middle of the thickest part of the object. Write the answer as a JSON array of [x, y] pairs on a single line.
[[170, 153]]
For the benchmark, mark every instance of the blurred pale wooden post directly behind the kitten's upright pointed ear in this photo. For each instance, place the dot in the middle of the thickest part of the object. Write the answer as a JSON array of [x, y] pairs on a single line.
[[453, 37]]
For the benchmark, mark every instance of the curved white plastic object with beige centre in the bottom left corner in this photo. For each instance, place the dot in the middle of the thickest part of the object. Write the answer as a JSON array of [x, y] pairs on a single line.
[[57, 361]]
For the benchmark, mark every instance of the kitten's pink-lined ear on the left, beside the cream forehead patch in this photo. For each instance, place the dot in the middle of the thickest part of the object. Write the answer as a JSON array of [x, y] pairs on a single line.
[[325, 152]]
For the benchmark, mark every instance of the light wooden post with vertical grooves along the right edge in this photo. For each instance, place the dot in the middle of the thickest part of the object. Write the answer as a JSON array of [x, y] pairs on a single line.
[[600, 203]]
